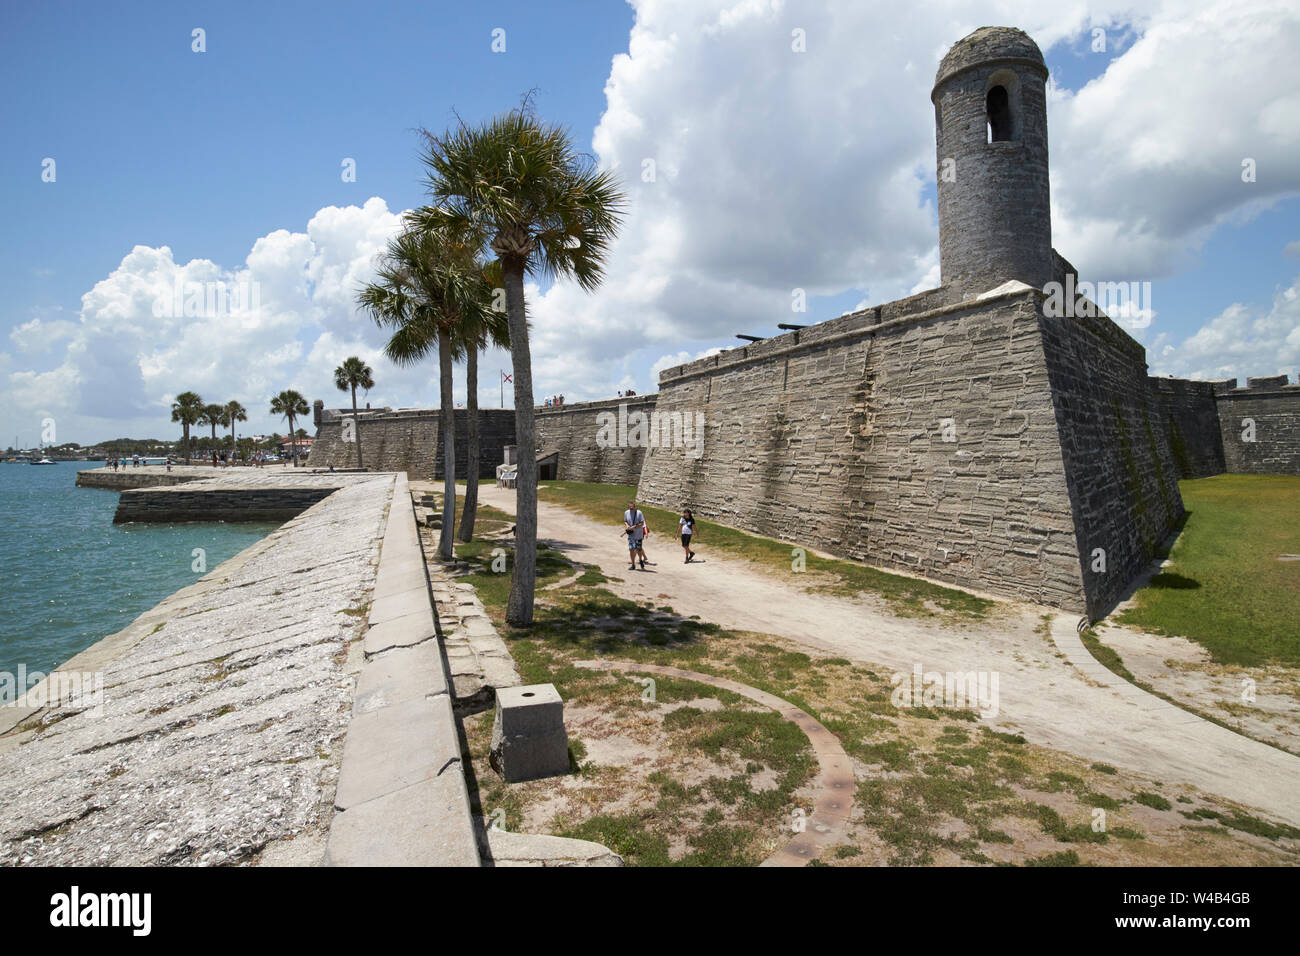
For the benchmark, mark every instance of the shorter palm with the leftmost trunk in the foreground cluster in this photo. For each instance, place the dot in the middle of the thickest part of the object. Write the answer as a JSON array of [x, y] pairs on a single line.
[[428, 284]]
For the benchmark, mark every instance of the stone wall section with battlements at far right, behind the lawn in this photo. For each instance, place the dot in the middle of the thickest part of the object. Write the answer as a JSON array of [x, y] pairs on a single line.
[[1273, 408]]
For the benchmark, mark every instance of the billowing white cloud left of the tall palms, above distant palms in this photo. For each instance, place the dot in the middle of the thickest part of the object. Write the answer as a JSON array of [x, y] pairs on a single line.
[[138, 343]]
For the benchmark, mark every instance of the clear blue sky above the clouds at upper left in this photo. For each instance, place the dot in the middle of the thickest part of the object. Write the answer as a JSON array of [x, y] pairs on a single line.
[[205, 153]]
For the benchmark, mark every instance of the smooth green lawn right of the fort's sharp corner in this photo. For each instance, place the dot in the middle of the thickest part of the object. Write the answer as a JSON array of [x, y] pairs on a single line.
[[1227, 589]]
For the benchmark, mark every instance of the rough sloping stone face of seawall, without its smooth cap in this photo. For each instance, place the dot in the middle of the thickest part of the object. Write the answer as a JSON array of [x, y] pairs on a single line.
[[220, 730]]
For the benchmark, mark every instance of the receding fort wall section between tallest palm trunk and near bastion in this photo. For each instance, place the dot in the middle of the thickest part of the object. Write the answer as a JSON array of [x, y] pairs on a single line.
[[574, 432]]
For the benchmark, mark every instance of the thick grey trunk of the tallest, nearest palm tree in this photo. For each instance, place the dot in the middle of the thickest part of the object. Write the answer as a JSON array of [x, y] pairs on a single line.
[[519, 608]]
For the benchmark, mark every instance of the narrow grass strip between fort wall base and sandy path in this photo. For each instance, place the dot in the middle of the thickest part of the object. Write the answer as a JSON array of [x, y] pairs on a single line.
[[909, 596]]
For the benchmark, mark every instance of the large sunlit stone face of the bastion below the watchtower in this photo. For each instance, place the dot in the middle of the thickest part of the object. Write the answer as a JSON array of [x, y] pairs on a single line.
[[916, 436]]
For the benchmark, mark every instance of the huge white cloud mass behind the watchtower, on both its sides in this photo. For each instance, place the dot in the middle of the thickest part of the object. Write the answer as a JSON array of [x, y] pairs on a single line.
[[775, 171]]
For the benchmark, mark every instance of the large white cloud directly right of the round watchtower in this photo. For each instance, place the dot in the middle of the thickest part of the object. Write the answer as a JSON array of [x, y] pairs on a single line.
[[1147, 161]]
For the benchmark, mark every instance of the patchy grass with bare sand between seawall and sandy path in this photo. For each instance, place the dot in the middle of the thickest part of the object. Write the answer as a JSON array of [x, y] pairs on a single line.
[[926, 768]]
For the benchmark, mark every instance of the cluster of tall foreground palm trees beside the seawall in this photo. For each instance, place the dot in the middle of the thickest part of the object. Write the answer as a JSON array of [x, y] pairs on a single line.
[[517, 189]]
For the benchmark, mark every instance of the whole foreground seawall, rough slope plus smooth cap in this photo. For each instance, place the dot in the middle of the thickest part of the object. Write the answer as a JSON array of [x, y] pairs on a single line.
[[253, 717]]
